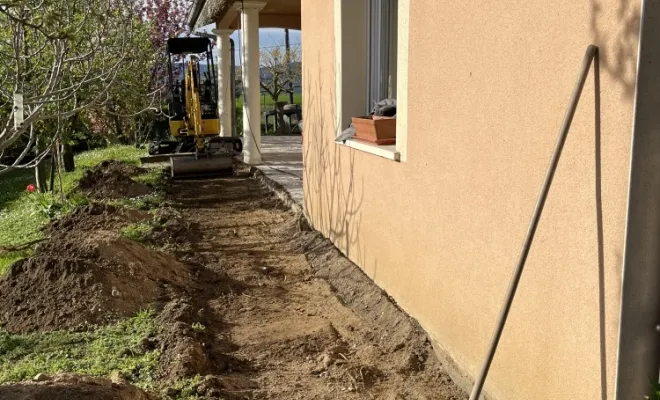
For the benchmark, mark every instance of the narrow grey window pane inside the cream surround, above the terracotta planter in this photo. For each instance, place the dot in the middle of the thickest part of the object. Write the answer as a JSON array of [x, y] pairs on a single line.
[[382, 21]]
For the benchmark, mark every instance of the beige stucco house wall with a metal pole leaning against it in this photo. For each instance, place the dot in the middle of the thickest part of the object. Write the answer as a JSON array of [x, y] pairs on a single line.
[[488, 85]]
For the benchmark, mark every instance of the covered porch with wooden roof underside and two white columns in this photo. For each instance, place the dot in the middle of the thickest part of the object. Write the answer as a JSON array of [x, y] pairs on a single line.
[[248, 16]]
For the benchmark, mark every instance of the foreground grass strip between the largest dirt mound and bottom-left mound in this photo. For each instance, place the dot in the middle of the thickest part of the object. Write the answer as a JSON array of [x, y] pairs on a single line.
[[111, 349]]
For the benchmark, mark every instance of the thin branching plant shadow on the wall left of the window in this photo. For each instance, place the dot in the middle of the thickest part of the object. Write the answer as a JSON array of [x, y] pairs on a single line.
[[330, 187]]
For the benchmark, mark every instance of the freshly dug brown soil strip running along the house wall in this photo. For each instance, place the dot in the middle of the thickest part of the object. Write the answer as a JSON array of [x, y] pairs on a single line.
[[288, 316]]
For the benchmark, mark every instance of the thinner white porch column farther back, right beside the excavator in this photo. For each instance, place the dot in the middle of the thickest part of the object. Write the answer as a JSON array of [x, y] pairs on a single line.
[[224, 81]]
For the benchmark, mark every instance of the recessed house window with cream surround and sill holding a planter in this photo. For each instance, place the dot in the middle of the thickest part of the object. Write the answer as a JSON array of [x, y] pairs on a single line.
[[371, 65]]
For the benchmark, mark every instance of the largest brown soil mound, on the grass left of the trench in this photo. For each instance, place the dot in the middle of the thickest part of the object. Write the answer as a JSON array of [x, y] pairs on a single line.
[[85, 275]]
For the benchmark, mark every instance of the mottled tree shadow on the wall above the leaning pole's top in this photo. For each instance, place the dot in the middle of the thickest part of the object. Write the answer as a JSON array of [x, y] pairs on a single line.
[[617, 40]]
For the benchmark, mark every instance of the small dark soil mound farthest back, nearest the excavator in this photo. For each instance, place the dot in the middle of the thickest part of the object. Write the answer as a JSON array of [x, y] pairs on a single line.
[[112, 180]]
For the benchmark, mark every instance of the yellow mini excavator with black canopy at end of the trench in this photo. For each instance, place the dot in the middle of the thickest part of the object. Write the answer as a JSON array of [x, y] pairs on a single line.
[[197, 149]]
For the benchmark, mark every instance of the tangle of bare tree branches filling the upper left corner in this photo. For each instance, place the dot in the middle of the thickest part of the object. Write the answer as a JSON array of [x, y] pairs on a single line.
[[64, 56]]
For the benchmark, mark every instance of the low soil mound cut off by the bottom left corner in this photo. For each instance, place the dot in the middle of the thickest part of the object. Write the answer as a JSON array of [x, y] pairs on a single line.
[[73, 387]]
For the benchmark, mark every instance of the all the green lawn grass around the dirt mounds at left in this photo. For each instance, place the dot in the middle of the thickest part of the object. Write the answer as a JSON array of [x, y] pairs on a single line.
[[116, 349]]
